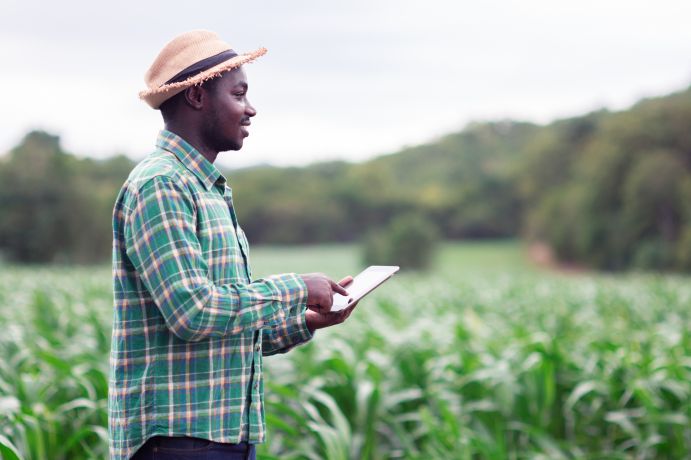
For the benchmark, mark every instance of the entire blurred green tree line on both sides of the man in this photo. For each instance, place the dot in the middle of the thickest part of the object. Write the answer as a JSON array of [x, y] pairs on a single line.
[[607, 190]]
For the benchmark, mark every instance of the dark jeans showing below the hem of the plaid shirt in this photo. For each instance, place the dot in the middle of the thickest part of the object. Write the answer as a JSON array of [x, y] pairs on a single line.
[[182, 448]]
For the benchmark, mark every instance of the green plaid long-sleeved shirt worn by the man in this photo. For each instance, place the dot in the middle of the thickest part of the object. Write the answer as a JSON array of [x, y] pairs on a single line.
[[190, 326]]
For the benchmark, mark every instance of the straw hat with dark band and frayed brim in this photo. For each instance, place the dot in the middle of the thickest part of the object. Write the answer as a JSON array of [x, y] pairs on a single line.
[[190, 59]]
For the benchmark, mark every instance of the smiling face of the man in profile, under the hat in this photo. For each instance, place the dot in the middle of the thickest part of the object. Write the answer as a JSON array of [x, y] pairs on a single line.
[[228, 113]]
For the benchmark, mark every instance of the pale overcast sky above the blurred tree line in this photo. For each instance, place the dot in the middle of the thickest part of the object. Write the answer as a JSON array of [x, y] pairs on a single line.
[[349, 79]]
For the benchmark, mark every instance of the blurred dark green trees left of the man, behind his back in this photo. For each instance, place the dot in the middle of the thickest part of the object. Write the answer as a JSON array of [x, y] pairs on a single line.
[[55, 207]]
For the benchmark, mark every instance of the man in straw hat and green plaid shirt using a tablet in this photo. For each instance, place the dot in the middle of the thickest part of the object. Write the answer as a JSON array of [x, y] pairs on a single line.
[[190, 325]]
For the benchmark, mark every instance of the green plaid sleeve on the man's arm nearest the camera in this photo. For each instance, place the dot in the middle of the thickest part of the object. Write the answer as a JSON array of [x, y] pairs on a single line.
[[162, 244]]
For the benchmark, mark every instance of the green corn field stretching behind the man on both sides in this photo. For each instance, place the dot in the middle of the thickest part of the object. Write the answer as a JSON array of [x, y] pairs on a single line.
[[483, 358]]
